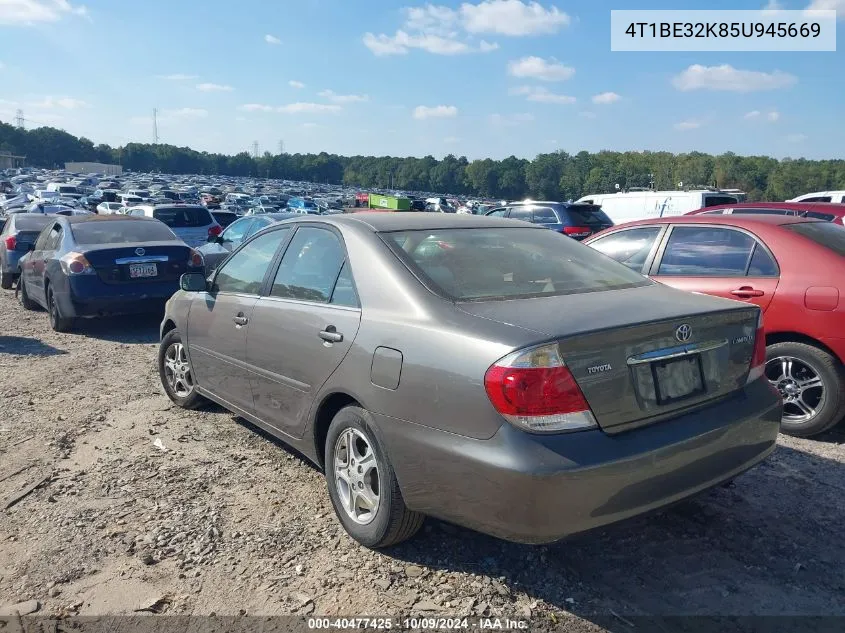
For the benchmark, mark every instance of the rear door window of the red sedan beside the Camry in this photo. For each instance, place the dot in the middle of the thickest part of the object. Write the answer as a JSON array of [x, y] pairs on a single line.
[[704, 251]]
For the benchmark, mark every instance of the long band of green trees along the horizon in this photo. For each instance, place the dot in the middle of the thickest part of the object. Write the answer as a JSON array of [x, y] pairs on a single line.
[[552, 176]]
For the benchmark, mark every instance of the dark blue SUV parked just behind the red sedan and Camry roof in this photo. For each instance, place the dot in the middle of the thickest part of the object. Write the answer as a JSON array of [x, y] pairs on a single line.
[[575, 220]]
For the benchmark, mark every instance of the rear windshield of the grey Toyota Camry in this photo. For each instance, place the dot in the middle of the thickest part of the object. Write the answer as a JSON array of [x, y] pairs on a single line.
[[507, 263]]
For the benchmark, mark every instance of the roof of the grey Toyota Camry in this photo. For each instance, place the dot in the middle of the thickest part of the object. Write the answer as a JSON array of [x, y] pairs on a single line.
[[414, 221]]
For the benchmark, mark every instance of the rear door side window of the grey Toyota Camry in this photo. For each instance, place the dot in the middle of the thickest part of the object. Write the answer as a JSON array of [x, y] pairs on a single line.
[[310, 266]]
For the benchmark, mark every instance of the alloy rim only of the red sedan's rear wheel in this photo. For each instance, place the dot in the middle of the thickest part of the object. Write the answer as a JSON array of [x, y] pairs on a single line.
[[801, 386]]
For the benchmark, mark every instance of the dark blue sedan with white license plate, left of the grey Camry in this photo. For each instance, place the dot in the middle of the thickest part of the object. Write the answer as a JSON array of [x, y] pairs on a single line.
[[92, 266]]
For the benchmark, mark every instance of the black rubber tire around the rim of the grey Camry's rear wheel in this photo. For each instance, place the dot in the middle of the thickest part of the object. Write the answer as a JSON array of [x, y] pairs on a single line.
[[393, 521]]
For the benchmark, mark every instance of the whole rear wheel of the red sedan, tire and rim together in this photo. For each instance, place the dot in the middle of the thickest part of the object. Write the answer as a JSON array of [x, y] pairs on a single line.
[[806, 363]]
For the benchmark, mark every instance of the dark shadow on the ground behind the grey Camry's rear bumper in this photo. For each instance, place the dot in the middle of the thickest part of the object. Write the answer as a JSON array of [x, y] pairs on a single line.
[[770, 544]]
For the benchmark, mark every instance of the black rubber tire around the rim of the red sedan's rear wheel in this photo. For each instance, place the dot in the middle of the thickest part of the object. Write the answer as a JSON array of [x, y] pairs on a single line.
[[832, 374]]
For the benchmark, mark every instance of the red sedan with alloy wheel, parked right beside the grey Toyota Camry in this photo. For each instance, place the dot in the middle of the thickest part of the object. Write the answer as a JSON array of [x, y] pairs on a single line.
[[789, 266]]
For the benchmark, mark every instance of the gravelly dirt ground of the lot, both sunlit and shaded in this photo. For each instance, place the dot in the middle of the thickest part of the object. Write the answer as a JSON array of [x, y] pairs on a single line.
[[224, 520]]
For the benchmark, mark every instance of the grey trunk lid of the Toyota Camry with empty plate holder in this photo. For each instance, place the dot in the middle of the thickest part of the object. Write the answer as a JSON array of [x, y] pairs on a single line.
[[640, 355]]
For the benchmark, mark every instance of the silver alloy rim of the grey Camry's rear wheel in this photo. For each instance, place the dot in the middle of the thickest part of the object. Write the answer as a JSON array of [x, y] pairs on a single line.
[[356, 475]]
